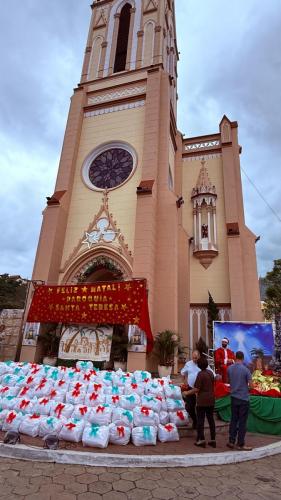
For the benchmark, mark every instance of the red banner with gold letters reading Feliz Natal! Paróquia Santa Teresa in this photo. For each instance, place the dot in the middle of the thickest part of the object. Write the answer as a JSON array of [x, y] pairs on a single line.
[[118, 302]]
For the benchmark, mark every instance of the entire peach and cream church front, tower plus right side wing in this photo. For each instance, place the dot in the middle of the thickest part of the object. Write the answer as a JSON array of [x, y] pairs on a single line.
[[134, 198]]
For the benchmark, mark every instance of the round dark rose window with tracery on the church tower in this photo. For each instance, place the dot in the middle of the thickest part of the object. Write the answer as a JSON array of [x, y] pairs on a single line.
[[111, 168]]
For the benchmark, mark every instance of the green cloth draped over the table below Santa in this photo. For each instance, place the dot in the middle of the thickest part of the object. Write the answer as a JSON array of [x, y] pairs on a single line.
[[264, 415]]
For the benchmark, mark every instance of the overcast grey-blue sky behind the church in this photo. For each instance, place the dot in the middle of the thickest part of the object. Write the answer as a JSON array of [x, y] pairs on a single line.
[[230, 64]]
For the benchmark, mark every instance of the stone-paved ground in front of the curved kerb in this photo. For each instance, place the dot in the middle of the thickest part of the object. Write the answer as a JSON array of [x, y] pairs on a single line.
[[41, 481]]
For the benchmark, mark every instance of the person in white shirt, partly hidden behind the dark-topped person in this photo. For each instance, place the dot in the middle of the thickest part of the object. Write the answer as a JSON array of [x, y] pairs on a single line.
[[190, 372]]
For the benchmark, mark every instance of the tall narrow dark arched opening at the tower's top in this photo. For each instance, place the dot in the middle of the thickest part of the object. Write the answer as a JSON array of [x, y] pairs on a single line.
[[123, 39]]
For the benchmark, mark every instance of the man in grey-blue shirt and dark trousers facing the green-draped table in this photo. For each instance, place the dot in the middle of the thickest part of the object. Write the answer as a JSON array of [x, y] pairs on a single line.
[[239, 377]]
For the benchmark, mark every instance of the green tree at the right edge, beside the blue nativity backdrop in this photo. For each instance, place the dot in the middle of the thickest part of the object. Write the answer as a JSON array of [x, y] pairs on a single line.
[[273, 307]]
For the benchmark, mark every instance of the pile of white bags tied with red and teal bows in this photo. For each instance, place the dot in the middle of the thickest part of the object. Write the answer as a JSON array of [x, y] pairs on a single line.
[[89, 405]]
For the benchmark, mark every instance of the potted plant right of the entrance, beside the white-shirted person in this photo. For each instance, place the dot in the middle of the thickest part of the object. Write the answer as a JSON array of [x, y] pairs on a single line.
[[165, 345]]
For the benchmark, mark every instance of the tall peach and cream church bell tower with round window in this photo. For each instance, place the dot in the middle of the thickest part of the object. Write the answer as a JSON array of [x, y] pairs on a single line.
[[120, 163]]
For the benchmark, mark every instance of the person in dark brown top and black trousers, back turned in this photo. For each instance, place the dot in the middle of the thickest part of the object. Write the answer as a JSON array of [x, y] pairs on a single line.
[[205, 402]]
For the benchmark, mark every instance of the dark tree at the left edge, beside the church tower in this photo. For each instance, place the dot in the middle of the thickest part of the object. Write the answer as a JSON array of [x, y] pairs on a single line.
[[12, 292]]
